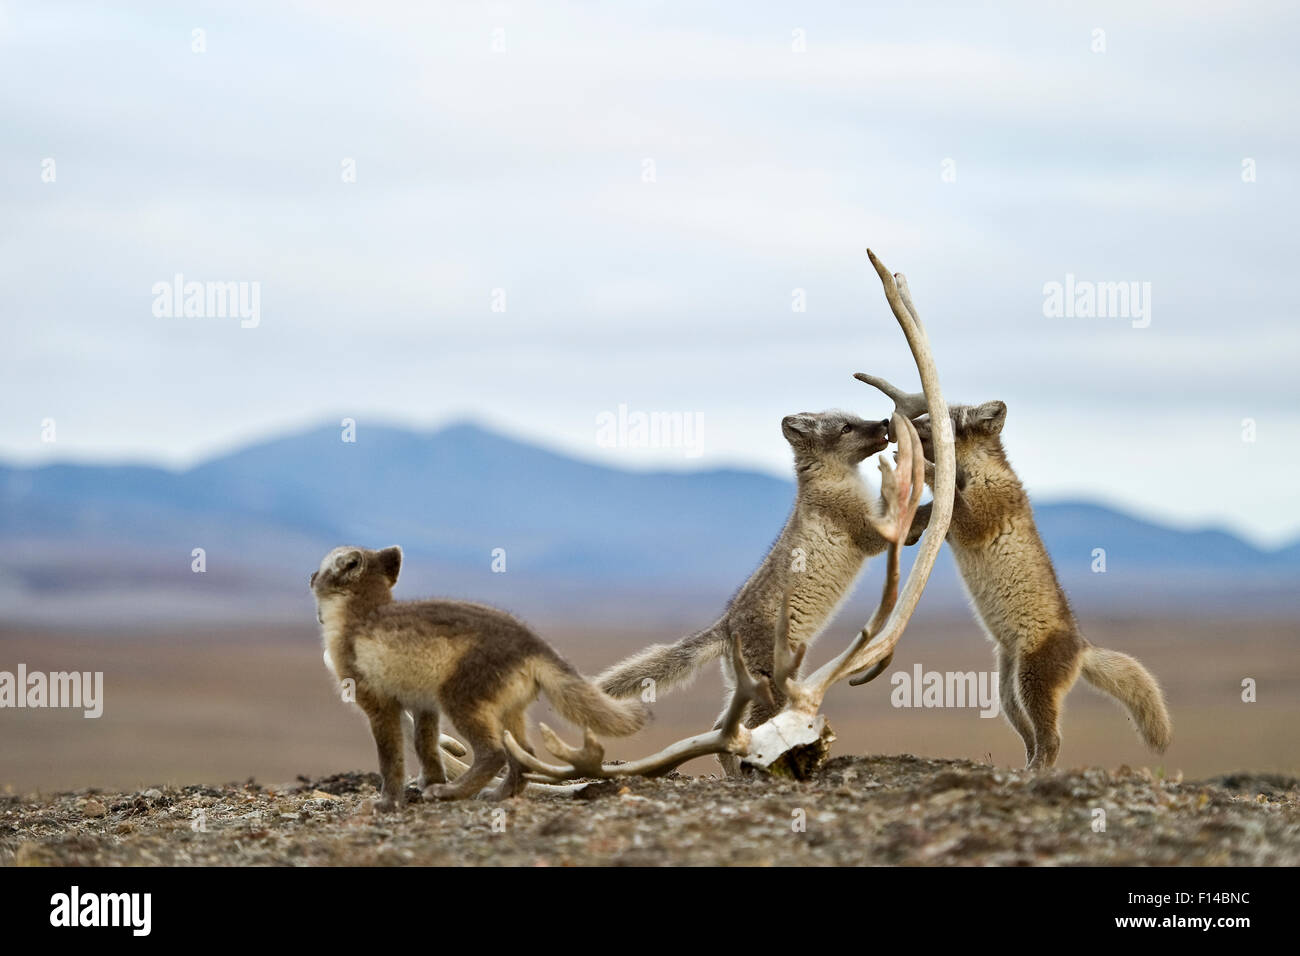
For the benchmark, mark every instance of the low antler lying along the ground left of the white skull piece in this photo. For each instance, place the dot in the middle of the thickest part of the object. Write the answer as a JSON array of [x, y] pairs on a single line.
[[587, 762]]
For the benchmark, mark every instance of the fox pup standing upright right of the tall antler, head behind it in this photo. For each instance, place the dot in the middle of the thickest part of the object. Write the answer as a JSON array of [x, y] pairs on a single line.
[[1016, 594]]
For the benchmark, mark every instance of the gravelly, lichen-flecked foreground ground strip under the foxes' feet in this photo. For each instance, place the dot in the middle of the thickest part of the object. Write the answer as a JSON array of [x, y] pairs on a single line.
[[857, 811]]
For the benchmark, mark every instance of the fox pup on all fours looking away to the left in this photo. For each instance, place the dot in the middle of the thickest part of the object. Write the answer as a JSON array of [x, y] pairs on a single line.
[[478, 665]]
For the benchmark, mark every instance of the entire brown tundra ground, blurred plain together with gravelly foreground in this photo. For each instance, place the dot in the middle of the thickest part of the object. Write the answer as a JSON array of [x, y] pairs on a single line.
[[241, 730]]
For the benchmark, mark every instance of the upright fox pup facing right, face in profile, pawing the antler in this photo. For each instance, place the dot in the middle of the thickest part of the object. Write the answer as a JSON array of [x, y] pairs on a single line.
[[820, 553]]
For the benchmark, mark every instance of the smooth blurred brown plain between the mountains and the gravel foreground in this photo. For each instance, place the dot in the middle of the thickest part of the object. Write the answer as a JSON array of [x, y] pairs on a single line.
[[219, 706]]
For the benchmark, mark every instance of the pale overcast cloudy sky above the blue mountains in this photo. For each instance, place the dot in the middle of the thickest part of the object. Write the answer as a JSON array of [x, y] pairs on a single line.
[[509, 148]]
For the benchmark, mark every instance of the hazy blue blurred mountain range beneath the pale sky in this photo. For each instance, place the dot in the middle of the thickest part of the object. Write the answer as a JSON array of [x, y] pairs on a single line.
[[112, 547]]
